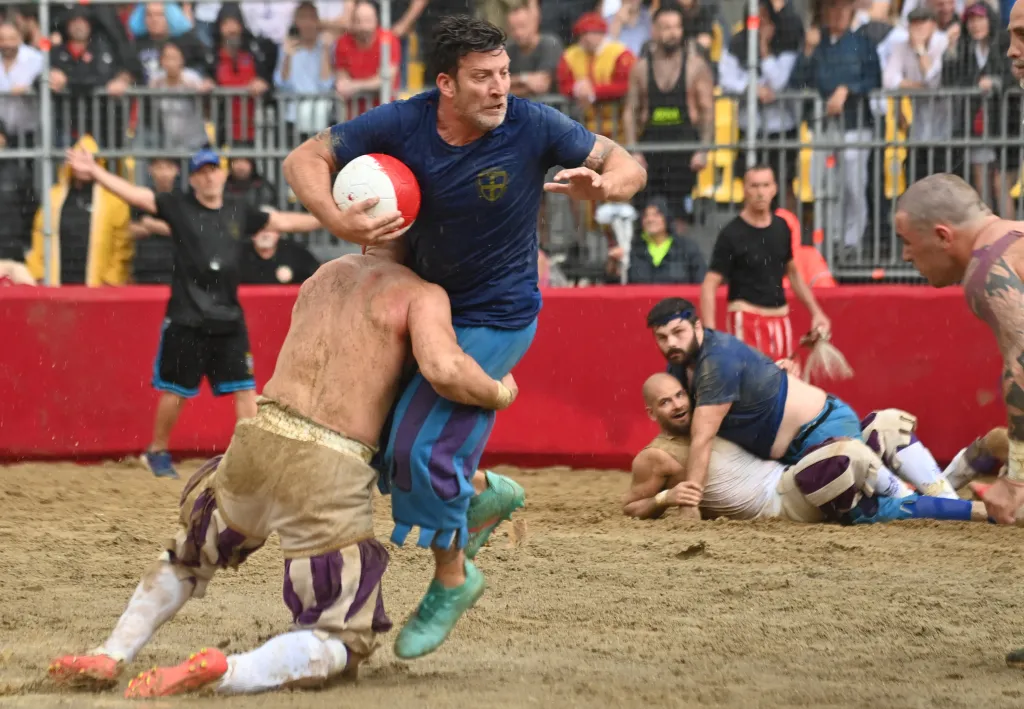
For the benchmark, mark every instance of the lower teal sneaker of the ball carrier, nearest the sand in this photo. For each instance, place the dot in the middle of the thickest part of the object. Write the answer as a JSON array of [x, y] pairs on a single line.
[[439, 612]]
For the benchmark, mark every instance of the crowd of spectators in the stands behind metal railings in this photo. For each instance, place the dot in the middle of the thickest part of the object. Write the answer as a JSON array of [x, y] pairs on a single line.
[[638, 71]]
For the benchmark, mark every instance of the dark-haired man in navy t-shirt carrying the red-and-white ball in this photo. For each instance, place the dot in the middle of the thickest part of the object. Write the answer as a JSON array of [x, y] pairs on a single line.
[[480, 156]]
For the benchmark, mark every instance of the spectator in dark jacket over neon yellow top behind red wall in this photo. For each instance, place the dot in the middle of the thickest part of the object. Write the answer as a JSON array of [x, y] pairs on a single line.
[[658, 256]]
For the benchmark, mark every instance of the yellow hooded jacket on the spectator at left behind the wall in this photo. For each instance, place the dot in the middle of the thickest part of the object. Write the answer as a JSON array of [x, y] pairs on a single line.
[[111, 245]]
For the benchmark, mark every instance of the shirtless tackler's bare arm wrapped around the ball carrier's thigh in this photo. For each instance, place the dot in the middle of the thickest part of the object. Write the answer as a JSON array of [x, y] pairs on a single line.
[[453, 373]]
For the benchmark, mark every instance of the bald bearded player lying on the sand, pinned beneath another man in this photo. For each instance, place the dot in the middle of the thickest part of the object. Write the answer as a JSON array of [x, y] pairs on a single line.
[[742, 486]]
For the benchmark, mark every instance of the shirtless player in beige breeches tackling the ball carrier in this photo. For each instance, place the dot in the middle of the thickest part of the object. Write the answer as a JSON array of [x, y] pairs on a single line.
[[302, 469]]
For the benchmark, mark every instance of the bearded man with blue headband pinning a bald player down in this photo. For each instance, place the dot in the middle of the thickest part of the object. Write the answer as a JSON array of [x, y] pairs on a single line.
[[742, 396]]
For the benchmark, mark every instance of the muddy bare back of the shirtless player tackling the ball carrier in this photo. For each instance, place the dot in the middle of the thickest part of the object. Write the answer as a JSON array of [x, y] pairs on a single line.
[[347, 347]]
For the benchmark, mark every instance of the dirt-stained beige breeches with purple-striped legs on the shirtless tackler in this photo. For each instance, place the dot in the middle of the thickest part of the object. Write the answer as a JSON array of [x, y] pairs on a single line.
[[314, 487]]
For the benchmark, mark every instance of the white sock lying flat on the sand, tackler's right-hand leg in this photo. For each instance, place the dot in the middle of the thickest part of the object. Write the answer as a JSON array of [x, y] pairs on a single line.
[[290, 658]]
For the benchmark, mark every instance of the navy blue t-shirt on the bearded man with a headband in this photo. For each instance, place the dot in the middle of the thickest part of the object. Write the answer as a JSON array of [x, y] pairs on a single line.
[[728, 371]]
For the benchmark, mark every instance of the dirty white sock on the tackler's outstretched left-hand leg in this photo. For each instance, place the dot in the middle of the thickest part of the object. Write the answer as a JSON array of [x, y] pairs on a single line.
[[159, 596]]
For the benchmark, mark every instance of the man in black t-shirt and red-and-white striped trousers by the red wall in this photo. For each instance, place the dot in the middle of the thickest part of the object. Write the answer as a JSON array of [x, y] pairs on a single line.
[[753, 255]]
